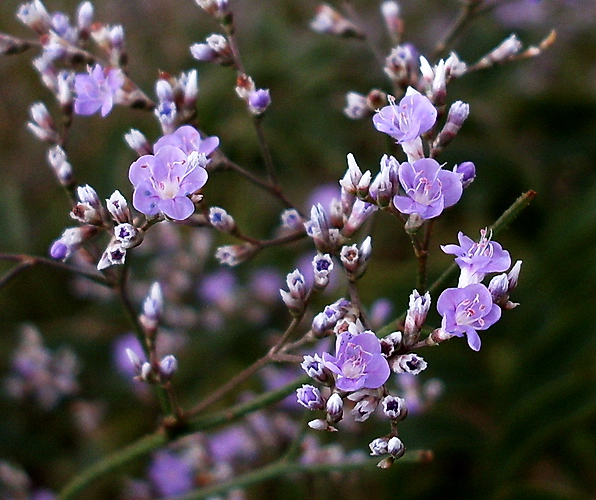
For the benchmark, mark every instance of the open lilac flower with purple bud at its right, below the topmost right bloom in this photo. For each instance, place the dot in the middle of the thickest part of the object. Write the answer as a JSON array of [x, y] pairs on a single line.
[[429, 189]]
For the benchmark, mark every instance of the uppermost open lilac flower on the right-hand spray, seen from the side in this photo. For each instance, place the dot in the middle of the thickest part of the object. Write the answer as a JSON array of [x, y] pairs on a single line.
[[412, 117]]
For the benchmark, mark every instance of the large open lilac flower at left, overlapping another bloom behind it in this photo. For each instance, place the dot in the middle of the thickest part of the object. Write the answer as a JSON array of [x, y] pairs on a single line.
[[163, 182]]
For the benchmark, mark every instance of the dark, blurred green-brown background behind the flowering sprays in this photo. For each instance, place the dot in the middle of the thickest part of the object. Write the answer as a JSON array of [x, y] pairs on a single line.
[[516, 419]]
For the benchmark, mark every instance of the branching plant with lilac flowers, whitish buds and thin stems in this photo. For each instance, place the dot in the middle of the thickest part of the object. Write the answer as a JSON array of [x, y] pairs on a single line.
[[340, 360]]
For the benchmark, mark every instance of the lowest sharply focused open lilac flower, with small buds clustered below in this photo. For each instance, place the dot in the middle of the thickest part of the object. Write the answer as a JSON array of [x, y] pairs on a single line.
[[358, 362]]
